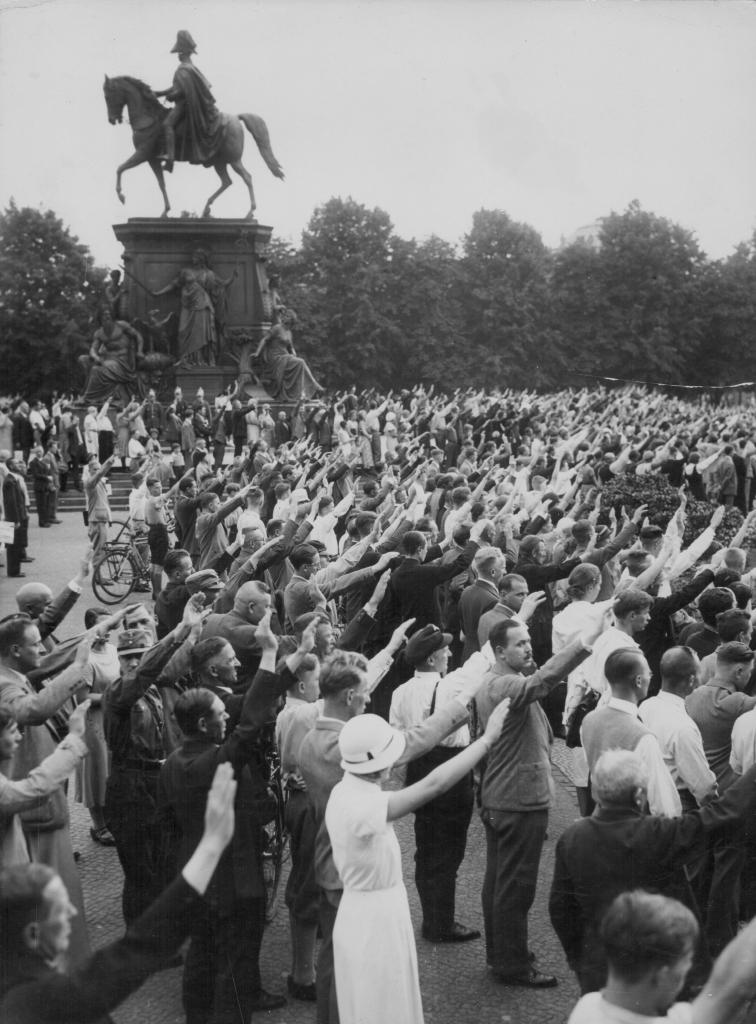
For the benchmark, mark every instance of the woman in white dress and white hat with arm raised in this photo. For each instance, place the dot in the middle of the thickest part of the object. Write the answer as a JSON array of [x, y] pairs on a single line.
[[375, 960]]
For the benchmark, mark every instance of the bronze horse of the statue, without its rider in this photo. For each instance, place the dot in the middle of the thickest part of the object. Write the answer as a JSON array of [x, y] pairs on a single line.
[[147, 115]]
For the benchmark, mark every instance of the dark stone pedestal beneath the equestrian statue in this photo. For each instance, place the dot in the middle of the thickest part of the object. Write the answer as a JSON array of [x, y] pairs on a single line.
[[156, 250]]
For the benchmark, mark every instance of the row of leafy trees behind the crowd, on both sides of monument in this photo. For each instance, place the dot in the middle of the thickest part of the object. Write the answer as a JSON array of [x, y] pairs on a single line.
[[642, 303]]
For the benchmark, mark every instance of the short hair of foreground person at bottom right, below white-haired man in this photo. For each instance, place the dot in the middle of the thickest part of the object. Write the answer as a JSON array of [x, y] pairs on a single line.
[[643, 932]]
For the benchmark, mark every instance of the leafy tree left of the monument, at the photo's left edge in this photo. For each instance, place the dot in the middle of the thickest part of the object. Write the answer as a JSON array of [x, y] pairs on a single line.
[[50, 291]]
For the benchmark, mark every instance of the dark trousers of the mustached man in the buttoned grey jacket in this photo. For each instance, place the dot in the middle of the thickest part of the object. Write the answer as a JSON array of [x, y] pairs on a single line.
[[511, 885]]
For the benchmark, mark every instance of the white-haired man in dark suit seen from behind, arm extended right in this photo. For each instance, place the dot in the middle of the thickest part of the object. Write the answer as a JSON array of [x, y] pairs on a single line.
[[621, 848]]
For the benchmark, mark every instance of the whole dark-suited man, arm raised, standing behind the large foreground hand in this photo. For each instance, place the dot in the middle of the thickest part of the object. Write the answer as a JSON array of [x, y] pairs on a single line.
[[222, 979]]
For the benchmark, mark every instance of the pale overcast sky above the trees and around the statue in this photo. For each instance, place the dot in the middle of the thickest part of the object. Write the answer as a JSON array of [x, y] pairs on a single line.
[[556, 112]]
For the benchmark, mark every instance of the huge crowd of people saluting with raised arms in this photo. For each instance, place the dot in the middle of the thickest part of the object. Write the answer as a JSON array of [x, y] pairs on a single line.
[[428, 589]]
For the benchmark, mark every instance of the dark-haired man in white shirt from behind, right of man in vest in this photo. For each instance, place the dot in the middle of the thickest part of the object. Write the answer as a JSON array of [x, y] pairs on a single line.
[[678, 735]]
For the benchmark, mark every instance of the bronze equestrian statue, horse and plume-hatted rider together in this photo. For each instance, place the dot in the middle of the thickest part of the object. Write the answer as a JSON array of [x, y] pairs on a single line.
[[193, 131]]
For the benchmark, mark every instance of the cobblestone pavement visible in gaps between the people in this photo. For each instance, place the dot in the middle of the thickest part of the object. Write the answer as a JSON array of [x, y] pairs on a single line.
[[456, 987]]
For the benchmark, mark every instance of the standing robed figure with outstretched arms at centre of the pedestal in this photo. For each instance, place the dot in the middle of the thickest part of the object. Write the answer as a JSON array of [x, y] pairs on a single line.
[[203, 311]]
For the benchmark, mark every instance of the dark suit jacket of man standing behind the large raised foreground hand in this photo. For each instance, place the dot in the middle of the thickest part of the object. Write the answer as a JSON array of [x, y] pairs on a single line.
[[186, 780]]
